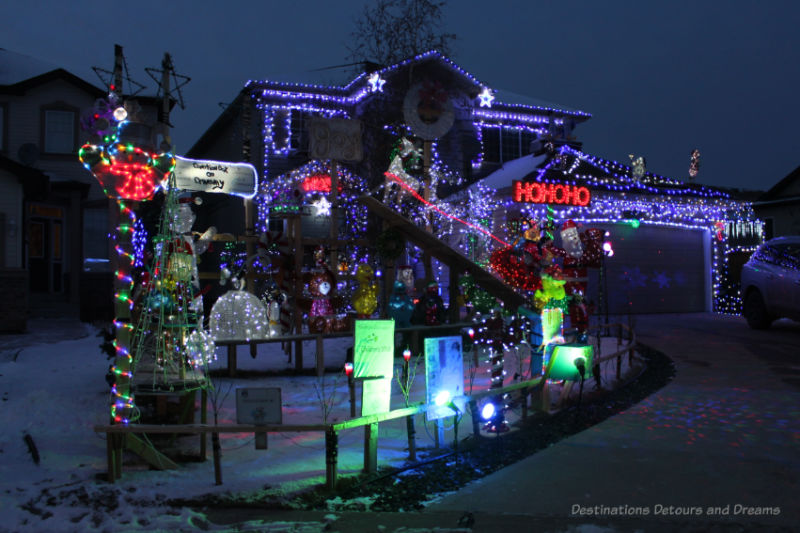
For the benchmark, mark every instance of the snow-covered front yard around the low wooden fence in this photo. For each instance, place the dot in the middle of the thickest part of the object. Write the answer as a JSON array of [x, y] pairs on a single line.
[[55, 393]]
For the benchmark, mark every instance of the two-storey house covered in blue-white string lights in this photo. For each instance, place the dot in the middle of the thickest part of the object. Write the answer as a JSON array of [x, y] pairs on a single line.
[[301, 134]]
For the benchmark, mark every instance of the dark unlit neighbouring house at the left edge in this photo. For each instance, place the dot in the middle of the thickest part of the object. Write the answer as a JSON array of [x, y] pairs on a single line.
[[54, 217]]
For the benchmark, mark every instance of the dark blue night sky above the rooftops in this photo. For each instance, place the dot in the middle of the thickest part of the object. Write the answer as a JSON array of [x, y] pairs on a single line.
[[659, 80]]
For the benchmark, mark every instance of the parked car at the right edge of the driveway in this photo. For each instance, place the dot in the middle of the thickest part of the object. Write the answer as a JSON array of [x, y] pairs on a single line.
[[771, 282]]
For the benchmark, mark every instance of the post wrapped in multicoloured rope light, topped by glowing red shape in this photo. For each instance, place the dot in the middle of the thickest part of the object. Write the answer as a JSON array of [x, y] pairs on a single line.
[[121, 156]]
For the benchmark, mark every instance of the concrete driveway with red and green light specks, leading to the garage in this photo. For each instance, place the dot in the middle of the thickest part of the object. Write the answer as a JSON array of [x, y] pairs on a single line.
[[717, 445]]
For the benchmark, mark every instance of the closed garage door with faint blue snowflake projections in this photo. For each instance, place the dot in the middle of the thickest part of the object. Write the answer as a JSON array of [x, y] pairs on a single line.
[[654, 270]]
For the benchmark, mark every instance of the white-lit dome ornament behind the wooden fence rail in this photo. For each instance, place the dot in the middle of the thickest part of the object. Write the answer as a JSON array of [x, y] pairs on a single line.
[[238, 315]]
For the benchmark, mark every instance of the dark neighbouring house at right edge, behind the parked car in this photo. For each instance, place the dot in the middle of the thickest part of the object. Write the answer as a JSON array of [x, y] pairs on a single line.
[[779, 207]]
